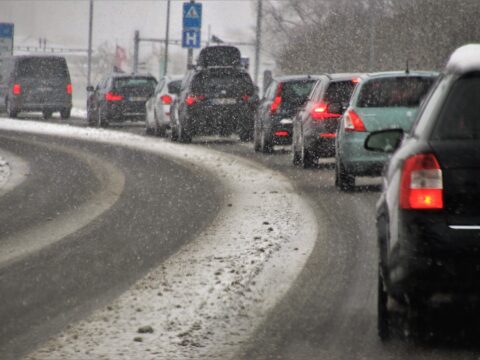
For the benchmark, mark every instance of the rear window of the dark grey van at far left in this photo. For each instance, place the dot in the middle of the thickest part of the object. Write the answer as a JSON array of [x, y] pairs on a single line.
[[42, 68]]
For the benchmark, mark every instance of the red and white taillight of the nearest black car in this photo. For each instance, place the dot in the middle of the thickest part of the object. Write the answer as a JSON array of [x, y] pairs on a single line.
[[421, 186]]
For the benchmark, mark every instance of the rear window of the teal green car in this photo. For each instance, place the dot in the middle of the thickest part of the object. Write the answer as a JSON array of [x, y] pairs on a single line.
[[394, 91]]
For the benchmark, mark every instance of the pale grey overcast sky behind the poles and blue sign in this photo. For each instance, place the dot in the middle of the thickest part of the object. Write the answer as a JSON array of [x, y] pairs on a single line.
[[65, 22]]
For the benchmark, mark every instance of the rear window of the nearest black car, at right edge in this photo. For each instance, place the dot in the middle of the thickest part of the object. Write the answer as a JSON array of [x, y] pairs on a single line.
[[459, 118]]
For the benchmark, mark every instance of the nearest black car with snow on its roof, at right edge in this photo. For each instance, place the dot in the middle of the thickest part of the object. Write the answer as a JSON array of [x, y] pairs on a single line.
[[428, 216]]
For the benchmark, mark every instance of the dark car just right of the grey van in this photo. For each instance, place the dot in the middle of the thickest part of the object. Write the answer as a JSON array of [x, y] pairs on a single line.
[[119, 97]]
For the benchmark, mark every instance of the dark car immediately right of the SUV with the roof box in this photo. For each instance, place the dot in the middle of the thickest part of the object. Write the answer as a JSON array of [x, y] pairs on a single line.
[[277, 109]]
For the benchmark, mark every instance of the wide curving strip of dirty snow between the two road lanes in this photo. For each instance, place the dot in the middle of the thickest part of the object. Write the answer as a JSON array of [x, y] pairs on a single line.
[[209, 297]]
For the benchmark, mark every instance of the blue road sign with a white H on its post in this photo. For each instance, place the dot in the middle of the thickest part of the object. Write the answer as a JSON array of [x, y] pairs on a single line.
[[192, 26]]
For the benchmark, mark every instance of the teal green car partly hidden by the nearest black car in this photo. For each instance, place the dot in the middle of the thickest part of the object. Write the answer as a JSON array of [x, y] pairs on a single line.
[[386, 100]]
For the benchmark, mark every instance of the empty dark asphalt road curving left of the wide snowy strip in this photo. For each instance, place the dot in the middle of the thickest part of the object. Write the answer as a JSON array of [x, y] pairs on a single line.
[[40, 293]]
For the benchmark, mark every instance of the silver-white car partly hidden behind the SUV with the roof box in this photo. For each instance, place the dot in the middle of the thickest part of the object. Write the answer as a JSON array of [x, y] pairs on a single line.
[[157, 116]]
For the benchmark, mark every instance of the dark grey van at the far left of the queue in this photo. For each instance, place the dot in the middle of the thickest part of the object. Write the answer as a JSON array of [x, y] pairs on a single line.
[[35, 83]]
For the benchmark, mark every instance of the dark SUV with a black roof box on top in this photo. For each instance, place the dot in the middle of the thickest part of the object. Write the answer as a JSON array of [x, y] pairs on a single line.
[[216, 98]]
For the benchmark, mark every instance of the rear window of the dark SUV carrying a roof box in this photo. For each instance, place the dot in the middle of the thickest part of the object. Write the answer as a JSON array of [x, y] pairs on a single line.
[[222, 84]]
